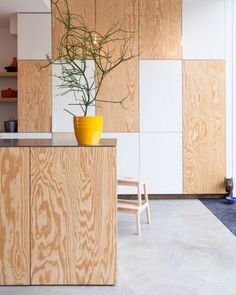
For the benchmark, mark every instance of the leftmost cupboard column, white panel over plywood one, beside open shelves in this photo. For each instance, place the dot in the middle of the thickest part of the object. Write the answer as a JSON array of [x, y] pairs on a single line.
[[34, 85]]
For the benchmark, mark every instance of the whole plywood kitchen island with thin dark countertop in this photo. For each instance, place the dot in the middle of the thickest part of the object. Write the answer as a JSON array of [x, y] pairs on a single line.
[[58, 213]]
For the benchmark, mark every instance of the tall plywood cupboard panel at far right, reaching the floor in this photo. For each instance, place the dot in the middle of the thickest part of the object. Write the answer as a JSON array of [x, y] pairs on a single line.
[[204, 126]]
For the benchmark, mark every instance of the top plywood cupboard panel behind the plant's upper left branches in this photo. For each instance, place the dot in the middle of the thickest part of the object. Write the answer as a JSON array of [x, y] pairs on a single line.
[[85, 8]]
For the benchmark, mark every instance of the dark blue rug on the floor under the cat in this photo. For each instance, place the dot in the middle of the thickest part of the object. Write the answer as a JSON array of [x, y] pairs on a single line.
[[223, 211]]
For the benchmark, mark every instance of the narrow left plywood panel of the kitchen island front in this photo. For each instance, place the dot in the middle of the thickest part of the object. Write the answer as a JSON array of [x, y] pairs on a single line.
[[14, 217]]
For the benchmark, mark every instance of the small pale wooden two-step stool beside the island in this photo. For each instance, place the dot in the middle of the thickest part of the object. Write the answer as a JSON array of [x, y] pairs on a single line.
[[135, 207]]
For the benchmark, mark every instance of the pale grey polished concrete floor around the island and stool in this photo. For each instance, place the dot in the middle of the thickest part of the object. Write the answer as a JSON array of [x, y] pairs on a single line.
[[186, 250]]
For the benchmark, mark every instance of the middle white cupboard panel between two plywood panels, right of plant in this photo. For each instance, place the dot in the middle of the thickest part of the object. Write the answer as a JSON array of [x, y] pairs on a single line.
[[160, 96]]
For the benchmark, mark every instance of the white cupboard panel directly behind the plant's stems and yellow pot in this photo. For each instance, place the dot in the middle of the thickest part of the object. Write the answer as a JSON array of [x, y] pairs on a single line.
[[62, 121]]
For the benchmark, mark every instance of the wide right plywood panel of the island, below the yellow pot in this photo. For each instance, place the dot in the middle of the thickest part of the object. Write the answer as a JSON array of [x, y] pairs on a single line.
[[73, 215]]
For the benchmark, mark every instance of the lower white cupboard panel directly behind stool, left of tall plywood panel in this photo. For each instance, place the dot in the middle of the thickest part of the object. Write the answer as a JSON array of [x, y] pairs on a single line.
[[161, 162]]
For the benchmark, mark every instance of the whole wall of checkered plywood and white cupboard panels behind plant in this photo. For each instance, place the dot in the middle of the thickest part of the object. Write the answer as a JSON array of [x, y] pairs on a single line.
[[172, 37]]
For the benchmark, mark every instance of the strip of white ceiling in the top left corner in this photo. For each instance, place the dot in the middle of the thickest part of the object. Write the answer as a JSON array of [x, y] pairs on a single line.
[[14, 6]]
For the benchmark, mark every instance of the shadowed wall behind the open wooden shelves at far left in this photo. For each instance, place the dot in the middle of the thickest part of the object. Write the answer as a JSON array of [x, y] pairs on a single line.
[[8, 49]]
